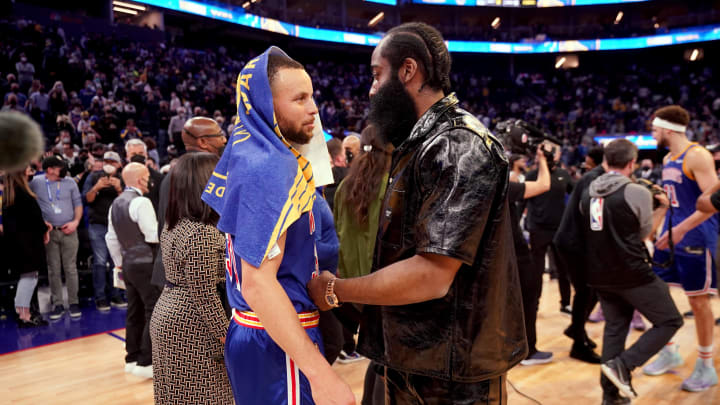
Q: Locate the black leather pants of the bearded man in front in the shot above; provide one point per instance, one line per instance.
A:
(410, 389)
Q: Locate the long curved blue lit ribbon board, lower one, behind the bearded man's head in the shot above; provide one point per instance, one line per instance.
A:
(237, 15)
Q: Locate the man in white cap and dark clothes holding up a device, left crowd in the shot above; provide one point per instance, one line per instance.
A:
(100, 190)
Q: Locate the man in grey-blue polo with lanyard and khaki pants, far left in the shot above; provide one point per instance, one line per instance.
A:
(61, 206)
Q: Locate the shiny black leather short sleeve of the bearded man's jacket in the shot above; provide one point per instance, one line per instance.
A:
(458, 178)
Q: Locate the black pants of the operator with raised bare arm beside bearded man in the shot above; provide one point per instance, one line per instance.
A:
(529, 281)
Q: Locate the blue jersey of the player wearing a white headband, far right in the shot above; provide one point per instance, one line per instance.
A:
(683, 192)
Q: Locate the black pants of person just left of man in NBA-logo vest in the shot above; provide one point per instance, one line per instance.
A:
(585, 297)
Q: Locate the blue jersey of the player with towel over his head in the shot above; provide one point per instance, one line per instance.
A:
(297, 267)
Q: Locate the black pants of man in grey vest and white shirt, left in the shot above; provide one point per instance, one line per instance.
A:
(141, 295)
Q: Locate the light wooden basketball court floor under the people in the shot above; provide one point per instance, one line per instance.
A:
(90, 370)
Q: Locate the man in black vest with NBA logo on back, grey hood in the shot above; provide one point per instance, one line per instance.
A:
(618, 217)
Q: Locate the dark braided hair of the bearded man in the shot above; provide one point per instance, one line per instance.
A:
(425, 45)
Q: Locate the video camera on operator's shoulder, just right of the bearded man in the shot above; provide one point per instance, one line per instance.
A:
(522, 138)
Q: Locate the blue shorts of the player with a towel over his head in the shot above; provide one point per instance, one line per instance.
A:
(259, 370)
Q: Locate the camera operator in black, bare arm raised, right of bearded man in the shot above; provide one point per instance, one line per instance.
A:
(518, 192)
